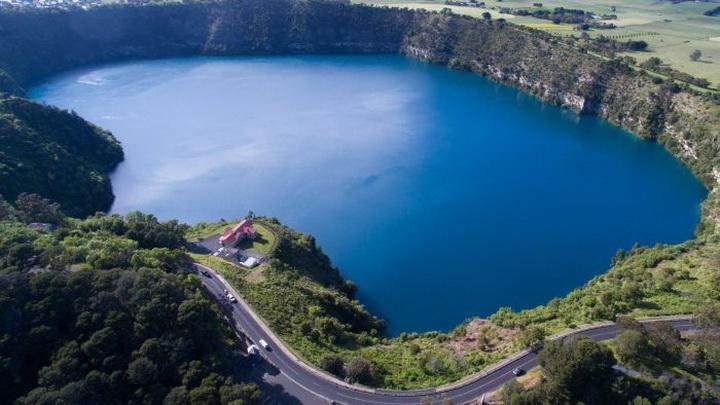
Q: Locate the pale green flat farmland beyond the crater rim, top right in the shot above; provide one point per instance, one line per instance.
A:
(673, 31)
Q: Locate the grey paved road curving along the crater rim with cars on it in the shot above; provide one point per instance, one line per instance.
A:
(311, 386)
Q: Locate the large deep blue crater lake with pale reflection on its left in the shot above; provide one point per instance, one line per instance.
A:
(441, 194)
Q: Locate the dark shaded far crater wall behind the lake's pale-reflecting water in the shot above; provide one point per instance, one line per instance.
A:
(36, 44)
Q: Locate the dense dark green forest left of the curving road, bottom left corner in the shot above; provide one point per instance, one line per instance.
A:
(102, 311)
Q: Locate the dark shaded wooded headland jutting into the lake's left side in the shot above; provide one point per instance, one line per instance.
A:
(55, 154)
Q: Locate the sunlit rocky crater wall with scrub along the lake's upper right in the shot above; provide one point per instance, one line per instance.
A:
(687, 124)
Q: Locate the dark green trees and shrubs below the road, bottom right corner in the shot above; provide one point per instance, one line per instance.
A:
(656, 366)
